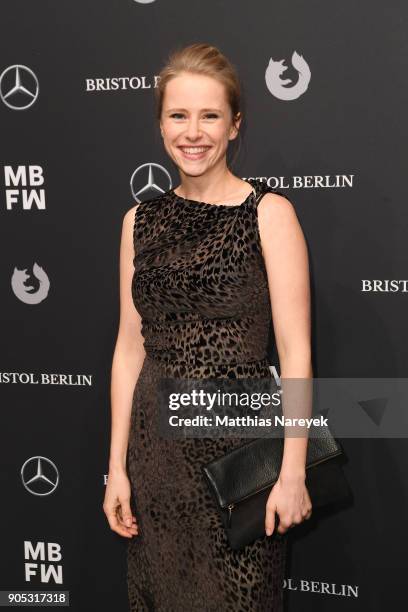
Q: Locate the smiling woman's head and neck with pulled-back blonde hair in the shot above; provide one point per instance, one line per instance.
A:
(199, 117)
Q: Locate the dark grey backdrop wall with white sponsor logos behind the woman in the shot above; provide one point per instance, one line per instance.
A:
(325, 98)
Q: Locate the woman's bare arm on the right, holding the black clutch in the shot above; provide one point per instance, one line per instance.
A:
(286, 261)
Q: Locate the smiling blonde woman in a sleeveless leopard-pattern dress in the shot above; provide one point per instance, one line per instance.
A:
(210, 259)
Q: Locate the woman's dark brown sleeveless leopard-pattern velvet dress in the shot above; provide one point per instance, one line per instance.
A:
(201, 289)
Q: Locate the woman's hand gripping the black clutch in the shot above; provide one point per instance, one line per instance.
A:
(290, 499)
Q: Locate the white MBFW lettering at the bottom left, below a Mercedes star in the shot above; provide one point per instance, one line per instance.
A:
(43, 561)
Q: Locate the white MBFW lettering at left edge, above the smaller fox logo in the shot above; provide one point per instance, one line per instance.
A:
(24, 187)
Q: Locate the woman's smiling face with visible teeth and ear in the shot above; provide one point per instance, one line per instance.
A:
(196, 123)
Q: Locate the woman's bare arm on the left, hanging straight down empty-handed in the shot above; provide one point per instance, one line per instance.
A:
(127, 363)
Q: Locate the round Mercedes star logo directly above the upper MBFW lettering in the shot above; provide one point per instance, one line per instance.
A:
(19, 87)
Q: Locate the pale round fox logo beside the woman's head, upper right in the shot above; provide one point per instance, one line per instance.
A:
(283, 89)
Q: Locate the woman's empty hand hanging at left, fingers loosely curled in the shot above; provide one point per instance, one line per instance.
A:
(116, 504)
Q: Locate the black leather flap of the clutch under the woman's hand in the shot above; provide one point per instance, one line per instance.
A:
(255, 465)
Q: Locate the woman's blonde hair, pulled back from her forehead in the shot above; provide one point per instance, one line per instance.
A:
(205, 59)
